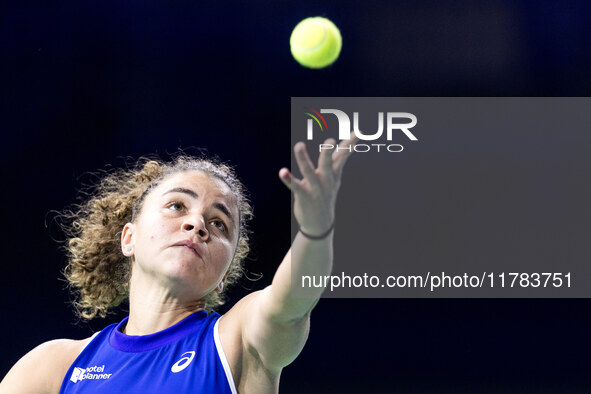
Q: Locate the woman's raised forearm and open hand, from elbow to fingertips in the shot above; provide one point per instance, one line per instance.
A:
(314, 206)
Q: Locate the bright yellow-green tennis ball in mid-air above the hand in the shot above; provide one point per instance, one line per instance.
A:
(315, 42)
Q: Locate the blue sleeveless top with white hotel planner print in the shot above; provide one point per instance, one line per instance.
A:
(184, 358)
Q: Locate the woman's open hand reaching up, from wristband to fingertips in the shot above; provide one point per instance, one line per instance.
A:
(316, 193)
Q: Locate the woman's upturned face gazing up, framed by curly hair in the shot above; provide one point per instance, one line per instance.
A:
(186, 233)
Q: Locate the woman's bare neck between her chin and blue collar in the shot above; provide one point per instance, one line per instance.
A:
(153, 308)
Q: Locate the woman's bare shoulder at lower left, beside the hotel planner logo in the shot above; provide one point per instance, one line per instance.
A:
(49, 361)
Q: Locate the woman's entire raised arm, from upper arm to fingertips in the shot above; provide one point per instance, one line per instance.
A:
(275, 322)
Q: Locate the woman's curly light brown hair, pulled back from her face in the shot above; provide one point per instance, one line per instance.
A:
(97, 271)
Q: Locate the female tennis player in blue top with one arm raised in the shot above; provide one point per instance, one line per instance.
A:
(170, 238)
